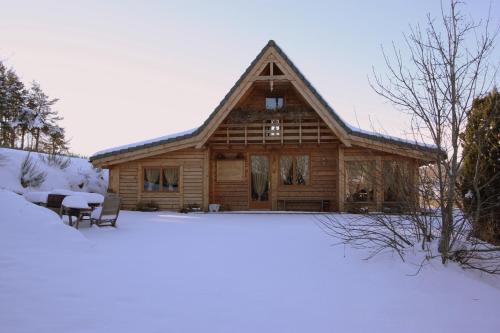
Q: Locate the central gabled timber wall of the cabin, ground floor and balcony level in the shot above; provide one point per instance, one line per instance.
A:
(294, 130)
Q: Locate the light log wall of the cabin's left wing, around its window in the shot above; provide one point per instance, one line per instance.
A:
(191, 180)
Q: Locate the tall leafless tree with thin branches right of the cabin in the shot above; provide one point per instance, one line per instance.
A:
(444, 68)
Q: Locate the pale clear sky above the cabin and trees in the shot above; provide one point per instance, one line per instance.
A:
(132, 70)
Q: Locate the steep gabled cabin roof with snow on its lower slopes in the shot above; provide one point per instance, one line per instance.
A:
(351, 131)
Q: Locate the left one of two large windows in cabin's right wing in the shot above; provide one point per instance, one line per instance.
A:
(359, 181)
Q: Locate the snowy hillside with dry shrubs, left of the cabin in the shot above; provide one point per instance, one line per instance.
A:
(22, 171)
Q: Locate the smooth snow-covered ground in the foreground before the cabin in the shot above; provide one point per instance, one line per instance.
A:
(169, 272)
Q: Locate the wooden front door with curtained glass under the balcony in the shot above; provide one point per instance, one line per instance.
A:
(260, 182)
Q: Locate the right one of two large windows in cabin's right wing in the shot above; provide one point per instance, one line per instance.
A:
(396, 181)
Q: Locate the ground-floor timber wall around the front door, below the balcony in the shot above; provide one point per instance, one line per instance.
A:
(235, 194)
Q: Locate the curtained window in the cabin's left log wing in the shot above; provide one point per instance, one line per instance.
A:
(164, 179)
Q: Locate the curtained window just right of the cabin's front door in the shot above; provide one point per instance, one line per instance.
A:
(294, 170)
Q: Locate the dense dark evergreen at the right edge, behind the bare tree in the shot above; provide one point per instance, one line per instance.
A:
(481, 168)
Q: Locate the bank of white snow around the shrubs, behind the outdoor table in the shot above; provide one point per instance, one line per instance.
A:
(79, 175)
